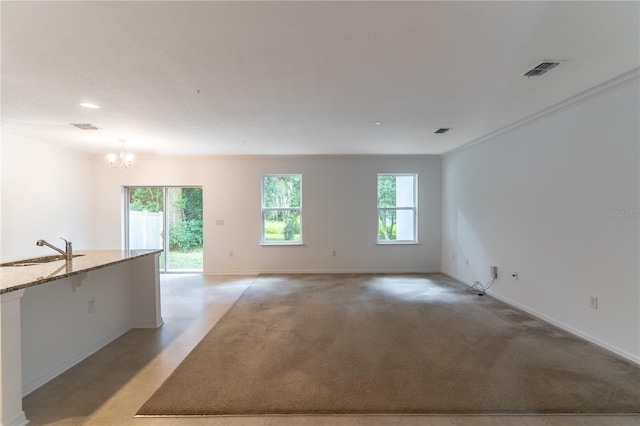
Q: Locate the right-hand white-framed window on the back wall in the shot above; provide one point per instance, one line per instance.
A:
(397, 208)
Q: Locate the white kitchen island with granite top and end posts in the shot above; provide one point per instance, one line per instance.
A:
(53, 315)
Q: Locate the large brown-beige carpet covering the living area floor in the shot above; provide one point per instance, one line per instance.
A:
(362, 344)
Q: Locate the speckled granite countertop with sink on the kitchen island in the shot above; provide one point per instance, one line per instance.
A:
(14, 278)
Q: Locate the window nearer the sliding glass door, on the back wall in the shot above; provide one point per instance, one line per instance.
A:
(282, 209)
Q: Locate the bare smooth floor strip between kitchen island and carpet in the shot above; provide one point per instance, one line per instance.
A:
(111, 385)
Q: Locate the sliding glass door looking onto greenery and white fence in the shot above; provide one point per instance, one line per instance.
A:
(169, 218)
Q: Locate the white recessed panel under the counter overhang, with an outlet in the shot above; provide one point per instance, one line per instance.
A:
(57, 329)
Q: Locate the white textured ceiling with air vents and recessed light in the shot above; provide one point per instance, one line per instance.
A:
(194, 78)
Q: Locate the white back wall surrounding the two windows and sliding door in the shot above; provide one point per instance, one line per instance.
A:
(339, 211)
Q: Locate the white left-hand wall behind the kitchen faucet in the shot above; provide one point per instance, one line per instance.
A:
(46, 194)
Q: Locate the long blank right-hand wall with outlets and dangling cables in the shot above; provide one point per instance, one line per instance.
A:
(535, 200)
